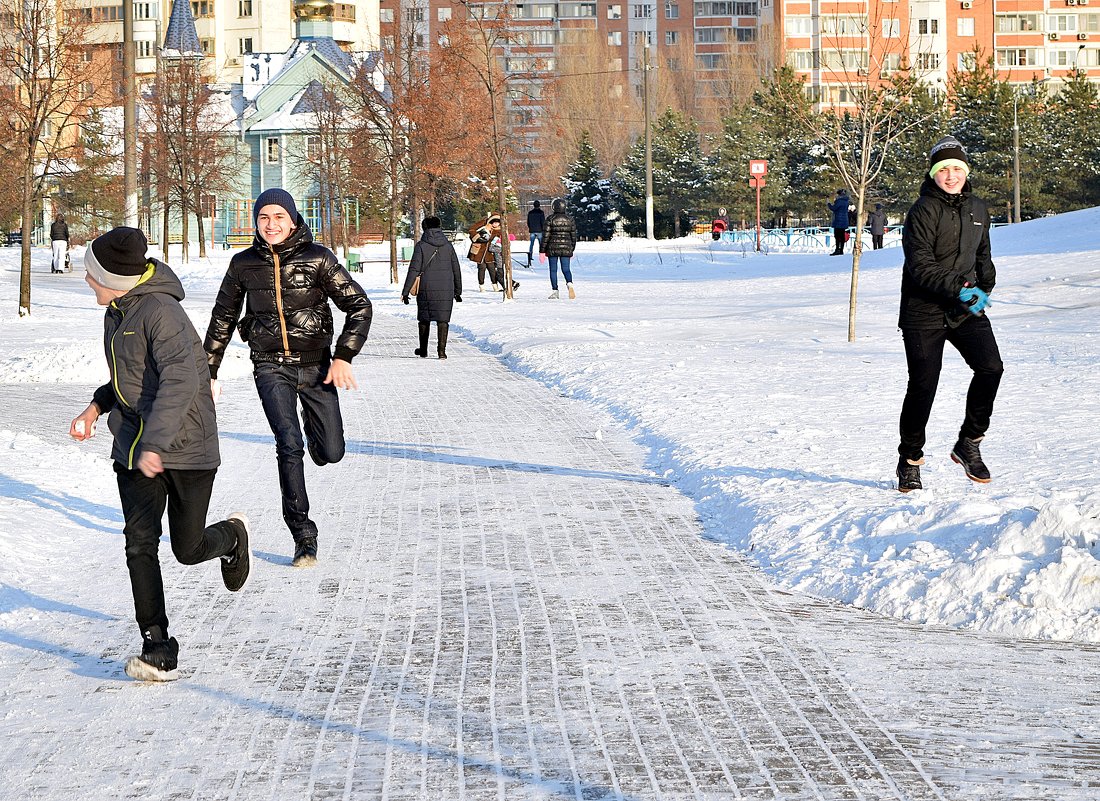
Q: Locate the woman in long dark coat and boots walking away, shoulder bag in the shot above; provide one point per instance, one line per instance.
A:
(436, 264)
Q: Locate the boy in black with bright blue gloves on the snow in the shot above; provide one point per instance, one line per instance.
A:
(947, 280)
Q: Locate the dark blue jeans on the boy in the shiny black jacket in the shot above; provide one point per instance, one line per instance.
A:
(281, 389)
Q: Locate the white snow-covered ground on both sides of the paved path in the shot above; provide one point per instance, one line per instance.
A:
(733, 369)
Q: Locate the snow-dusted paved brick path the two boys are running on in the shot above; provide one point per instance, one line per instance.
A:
(509, 606)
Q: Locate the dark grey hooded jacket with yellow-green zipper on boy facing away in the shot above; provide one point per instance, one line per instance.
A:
(160, 393)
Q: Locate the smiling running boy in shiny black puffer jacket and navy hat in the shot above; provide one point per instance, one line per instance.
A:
(284, 283)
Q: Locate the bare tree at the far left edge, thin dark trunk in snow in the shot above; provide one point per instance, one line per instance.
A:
(43, 82)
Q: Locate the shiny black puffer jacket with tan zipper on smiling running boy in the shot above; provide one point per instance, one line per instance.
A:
(288, 320)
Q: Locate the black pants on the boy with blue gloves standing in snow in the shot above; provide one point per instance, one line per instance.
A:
(925, 355)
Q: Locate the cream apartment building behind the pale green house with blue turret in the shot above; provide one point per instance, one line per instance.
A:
(228, 30)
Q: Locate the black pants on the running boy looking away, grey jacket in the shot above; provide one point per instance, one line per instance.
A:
(186, 495)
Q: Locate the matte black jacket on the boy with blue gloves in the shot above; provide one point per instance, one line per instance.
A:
(947, 244)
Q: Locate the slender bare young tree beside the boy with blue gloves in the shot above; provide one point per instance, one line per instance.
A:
(864, 108)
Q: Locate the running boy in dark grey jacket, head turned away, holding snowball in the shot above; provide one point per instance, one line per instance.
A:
(166, 433)
